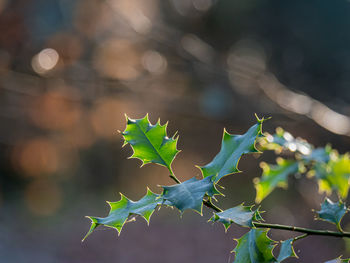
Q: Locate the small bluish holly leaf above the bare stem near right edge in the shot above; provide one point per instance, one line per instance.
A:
(332, 212)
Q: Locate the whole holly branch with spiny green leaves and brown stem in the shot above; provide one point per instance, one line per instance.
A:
(151, 144)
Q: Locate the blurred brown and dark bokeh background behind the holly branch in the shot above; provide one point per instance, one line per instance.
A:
(70, 70)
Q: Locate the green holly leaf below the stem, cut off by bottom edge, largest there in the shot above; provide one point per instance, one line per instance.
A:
(255, 246)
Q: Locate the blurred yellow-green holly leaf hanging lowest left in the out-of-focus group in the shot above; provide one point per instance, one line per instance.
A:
(274, 176)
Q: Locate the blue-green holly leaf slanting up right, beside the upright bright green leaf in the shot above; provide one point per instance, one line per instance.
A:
(232, 148)
